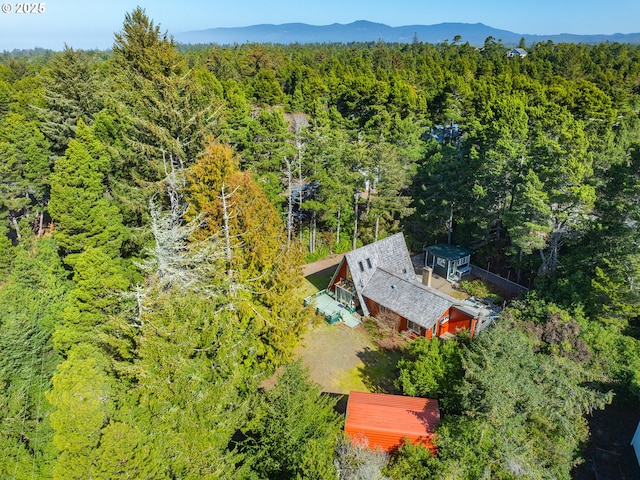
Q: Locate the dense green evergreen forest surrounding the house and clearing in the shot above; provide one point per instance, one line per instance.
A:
(157, 201)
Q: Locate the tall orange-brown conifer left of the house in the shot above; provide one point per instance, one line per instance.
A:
(256, 255)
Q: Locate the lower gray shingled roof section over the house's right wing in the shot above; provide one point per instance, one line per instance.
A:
(412, 300)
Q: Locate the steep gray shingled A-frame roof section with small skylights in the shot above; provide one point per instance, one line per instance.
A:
(390, 253)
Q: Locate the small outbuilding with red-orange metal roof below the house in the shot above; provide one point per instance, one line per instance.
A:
(385, 420)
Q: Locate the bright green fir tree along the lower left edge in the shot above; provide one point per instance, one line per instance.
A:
(31, 303)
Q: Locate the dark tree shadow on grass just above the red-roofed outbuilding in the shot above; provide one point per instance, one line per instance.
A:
(380, 369)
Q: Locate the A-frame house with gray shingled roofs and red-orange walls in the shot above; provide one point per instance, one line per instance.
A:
(379, 279)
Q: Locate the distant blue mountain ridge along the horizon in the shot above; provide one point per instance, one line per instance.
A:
(364, 31)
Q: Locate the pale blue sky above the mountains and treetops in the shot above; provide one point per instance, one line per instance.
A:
(91, 23)
